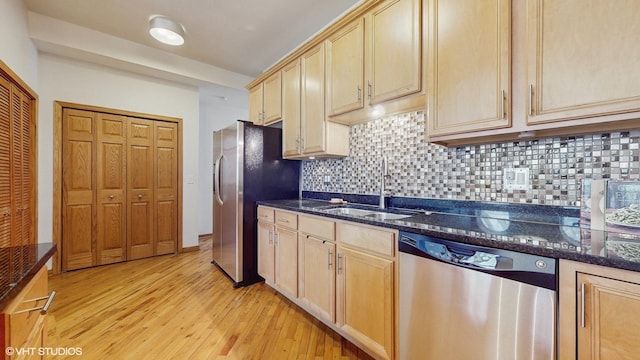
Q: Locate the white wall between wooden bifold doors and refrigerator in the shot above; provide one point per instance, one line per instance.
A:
(215, 113)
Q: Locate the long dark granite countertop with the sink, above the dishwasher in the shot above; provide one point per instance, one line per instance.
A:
(542, 230)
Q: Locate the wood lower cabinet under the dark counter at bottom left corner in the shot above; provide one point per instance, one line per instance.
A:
(24, 324)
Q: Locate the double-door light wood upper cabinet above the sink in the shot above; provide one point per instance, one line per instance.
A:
(376, 59)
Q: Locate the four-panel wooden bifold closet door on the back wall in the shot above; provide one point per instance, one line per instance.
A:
(120, 188)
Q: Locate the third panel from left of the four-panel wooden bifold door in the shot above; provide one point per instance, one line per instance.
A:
(140, 197)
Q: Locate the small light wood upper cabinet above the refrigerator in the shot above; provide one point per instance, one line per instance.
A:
(265, 101)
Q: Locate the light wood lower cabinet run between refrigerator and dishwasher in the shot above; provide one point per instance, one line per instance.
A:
(346, 276)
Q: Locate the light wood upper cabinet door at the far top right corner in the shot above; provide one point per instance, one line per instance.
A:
(582, 59)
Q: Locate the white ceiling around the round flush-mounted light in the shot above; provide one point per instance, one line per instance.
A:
(241, 36)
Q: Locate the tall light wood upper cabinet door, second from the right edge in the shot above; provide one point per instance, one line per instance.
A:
(469, 59)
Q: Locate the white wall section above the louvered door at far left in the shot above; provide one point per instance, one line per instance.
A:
(16, 48)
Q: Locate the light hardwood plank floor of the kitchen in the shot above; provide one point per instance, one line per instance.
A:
(182, 307)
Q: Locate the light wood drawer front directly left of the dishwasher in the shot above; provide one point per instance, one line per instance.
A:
(369, 239)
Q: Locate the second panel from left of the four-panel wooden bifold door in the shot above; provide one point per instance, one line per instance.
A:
(111, 244)
